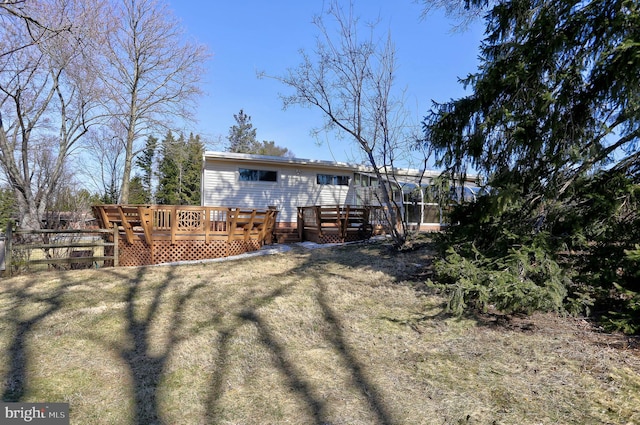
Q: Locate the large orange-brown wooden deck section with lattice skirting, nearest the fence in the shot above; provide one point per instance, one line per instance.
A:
(154, 234)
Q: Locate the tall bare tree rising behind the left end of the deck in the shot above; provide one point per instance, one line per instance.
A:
(153, 75)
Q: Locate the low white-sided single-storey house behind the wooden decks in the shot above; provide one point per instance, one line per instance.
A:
(257, 181)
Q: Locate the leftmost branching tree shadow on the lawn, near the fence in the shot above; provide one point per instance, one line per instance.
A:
(15, 383)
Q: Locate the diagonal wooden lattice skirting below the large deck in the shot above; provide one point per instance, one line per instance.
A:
(140, 254)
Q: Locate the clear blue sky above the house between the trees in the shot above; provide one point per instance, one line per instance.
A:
(249, 36)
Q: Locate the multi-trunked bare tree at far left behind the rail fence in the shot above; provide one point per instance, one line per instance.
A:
(48, 93)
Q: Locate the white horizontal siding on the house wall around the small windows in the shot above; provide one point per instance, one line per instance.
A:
(296, 187)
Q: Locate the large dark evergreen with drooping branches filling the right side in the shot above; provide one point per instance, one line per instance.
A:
(554, 123)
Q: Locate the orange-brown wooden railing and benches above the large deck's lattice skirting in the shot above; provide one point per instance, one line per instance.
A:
(187, 222)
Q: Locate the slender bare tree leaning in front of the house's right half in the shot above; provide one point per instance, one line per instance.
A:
(350, 79)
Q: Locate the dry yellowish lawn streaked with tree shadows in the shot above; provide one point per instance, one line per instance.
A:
(328, 336)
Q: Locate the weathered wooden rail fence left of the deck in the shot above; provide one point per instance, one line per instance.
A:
(64, 241)
